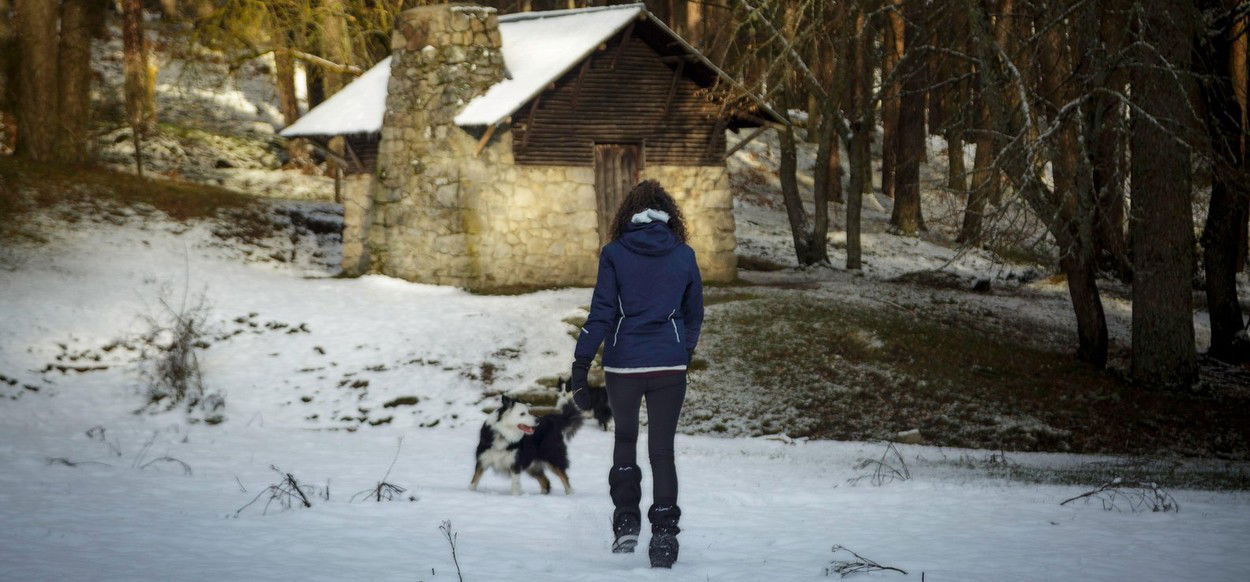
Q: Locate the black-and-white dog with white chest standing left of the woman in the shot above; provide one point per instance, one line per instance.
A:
(514, 441)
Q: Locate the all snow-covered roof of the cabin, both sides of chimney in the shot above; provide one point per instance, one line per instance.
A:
(538, 49)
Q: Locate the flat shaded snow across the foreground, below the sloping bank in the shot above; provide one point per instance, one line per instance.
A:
(753, 510)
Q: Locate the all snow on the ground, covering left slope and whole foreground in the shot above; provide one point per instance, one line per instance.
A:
(753, 508)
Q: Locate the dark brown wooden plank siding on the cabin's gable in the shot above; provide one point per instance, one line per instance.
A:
(629, 104)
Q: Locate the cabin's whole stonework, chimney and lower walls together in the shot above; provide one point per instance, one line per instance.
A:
(442, 214)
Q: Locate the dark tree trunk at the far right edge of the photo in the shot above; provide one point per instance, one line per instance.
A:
(1231, 200)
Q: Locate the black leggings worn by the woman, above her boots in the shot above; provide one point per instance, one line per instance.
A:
(664, 398)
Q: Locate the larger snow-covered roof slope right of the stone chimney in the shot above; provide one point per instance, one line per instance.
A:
(538, 49)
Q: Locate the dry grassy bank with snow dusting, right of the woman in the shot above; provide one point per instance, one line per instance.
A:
(817, 367)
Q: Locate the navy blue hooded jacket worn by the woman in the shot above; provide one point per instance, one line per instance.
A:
(648, 303)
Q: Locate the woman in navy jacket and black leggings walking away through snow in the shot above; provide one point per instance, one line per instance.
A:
(647, 310)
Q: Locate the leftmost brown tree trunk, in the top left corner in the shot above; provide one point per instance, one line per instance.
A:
(37, 24)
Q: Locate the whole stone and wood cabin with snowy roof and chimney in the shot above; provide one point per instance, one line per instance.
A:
(494, 150)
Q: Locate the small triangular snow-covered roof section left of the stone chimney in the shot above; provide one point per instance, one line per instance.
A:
(356, 109)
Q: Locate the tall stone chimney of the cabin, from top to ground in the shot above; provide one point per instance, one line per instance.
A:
(442, 57)
